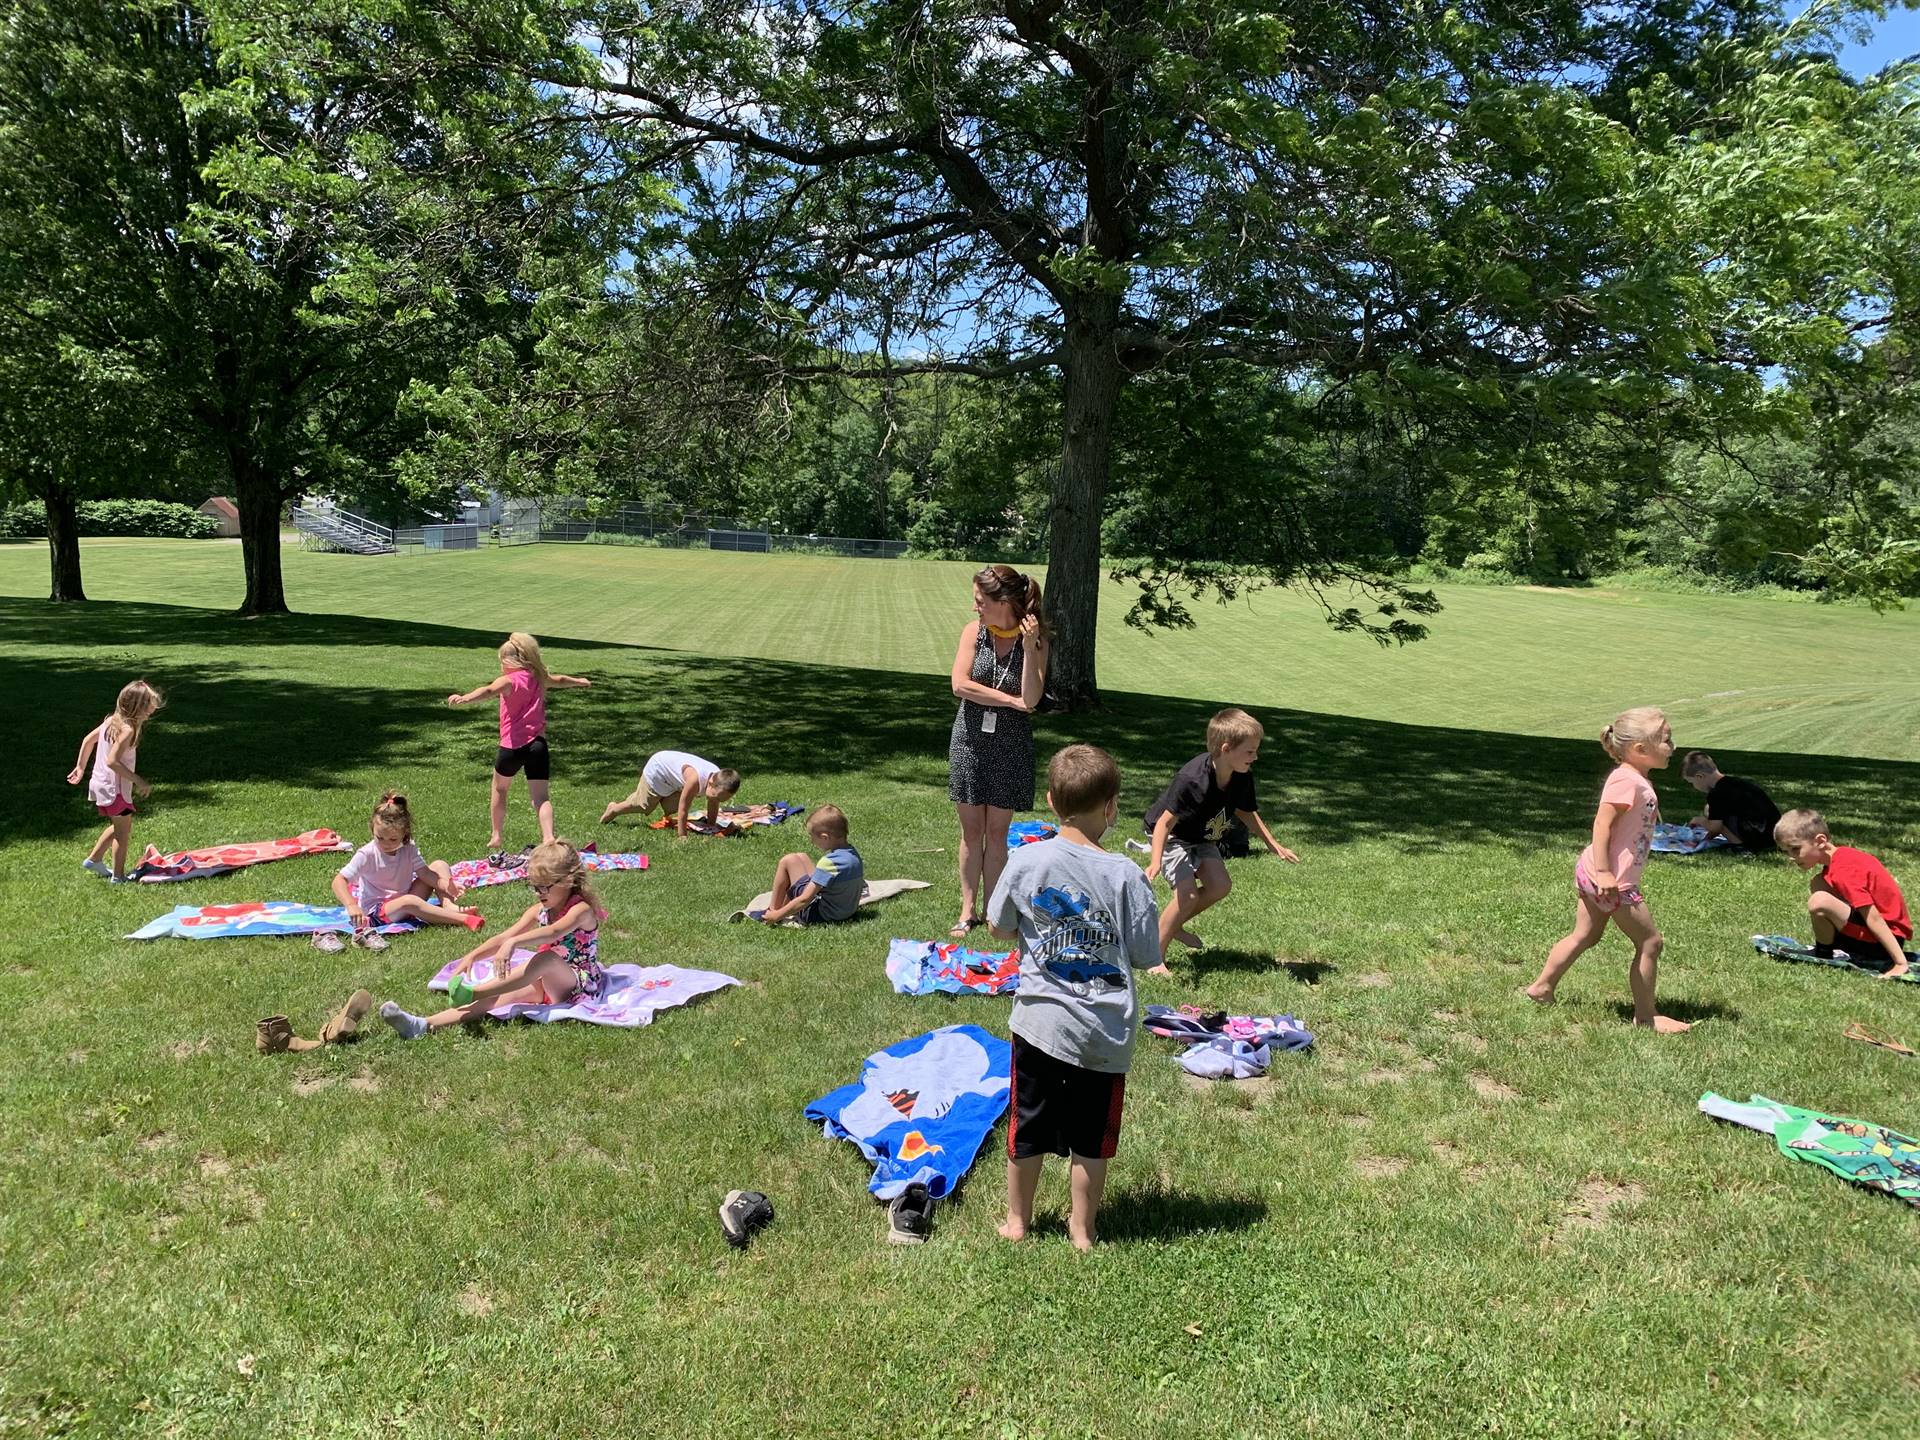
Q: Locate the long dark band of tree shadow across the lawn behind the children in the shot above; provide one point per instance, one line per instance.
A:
(1324, 780)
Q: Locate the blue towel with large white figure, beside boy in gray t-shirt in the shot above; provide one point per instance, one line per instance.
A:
(923, 1109)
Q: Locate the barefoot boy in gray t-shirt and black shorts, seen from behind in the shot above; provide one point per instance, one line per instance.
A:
(1086, 921)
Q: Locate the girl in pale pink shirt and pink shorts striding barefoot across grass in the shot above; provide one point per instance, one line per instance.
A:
(1606, 878)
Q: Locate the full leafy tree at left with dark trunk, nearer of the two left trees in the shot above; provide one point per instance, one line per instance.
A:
(287, 214)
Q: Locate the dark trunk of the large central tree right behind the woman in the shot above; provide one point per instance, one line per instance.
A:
(1093, 379)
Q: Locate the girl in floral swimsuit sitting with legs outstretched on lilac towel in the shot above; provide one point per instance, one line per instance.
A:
(562, 930)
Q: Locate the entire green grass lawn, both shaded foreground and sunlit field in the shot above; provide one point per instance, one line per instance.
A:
(1458, 1216)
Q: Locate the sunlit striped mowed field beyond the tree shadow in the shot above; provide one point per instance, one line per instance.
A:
(1735, 673)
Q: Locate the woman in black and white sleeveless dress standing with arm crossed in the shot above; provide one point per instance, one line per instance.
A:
(999, 679)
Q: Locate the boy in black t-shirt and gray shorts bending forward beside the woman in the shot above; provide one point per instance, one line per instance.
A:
(1191, 817)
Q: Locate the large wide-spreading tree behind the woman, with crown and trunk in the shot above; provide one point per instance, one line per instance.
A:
(1431, 216)
